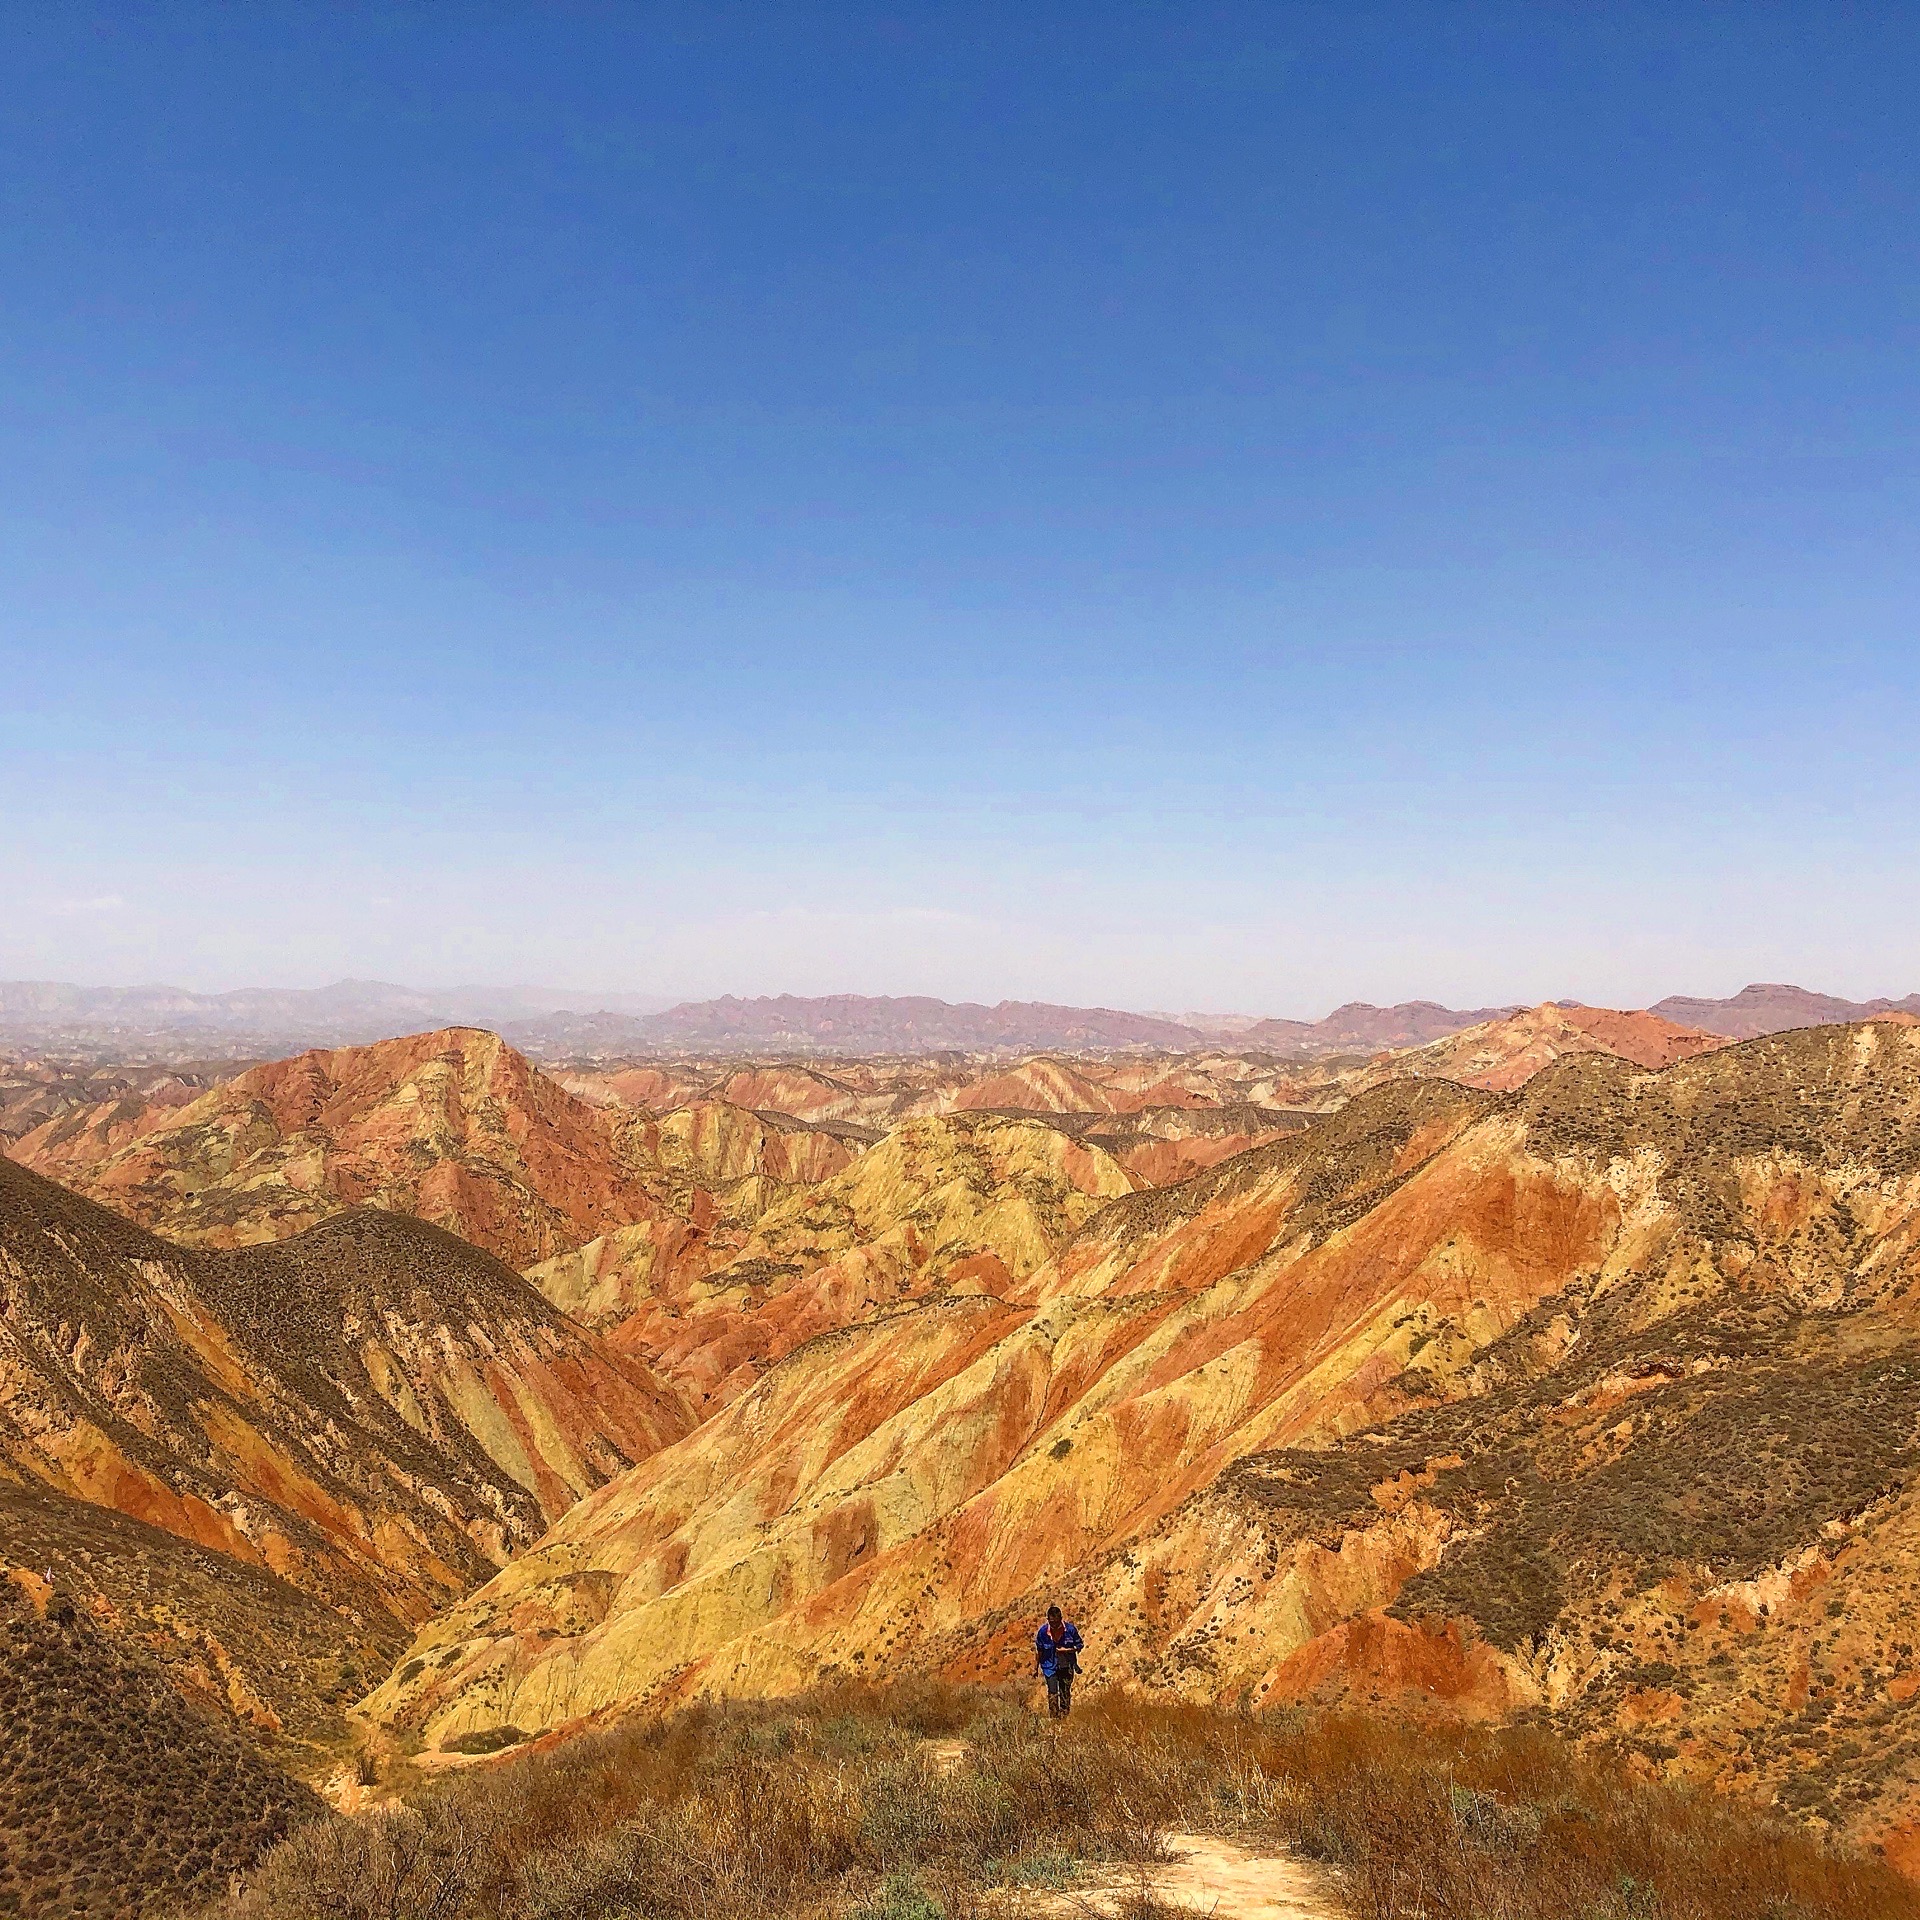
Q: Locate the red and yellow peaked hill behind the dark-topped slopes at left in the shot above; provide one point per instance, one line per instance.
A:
(454, 1128)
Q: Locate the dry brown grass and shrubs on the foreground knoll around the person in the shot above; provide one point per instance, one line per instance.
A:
(834, 1806)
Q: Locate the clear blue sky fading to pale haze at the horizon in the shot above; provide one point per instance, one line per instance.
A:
(1191, 508)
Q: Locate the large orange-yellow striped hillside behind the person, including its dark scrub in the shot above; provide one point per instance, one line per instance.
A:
(1600, 1401)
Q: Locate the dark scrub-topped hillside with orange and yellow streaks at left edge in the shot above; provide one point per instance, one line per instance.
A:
(375, 1412)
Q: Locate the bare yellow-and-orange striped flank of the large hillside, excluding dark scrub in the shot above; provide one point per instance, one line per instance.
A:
(861, 1454)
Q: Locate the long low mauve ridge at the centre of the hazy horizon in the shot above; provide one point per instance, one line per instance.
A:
(853, 1024)
